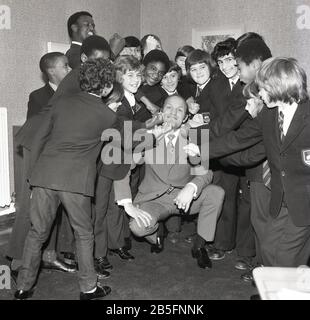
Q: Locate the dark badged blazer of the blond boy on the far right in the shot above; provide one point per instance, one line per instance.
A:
(290, 169)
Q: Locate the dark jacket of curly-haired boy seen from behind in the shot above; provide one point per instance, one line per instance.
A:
(68, 143)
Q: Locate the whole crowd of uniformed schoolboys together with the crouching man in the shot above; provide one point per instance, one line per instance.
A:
(250, 191)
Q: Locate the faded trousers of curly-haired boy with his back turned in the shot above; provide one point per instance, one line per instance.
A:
(44, 203)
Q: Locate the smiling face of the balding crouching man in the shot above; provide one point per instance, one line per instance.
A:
(174, 111)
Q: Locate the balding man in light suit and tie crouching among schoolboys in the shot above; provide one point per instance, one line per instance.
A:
(173, 186)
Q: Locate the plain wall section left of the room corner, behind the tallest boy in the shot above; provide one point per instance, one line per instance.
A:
(33, 24)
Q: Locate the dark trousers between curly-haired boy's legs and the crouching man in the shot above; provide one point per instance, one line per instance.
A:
(107, 218)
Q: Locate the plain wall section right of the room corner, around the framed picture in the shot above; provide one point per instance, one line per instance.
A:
(173, 20)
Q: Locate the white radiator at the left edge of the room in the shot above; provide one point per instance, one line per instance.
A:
(5, 196)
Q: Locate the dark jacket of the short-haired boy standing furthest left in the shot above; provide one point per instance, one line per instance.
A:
(39, 99)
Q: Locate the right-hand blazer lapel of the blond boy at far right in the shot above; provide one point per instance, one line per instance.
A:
(297, 124)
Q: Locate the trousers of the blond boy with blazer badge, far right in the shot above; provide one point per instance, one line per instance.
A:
(284, 244)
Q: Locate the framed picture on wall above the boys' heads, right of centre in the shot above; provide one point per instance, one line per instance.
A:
(206, 39)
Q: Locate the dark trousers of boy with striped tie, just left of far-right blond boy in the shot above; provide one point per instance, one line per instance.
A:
(260, 202)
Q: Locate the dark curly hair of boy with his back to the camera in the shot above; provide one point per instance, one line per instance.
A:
(95, 74)
